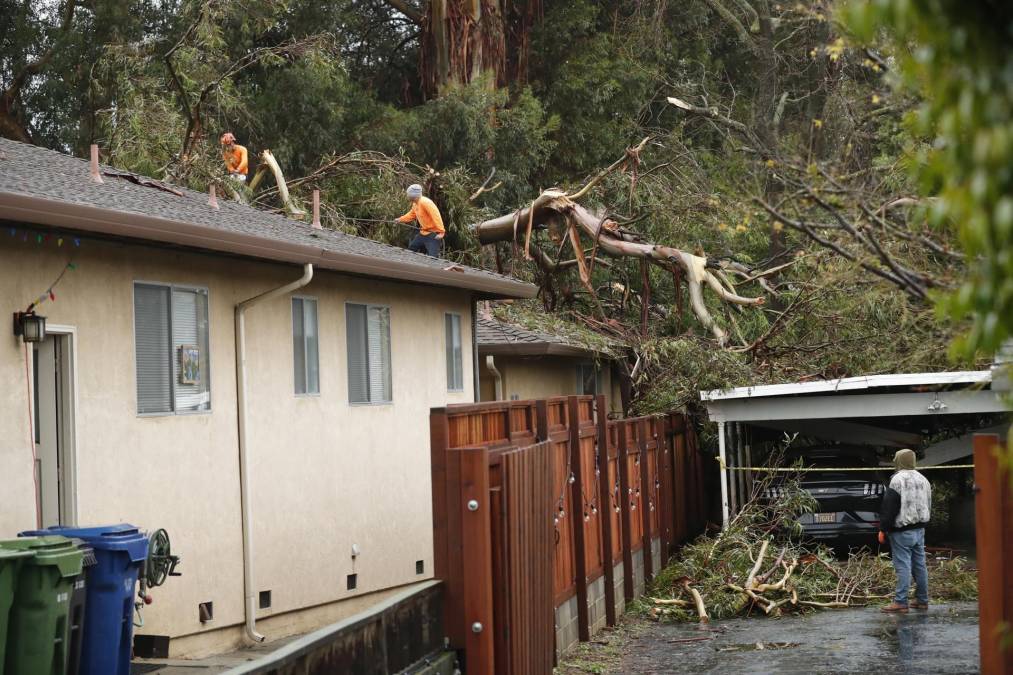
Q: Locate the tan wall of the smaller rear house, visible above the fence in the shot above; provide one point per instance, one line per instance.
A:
(541, 378)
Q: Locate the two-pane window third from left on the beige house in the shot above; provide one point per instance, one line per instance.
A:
(368, 331)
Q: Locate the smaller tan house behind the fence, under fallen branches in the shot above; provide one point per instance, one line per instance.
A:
(517, 363)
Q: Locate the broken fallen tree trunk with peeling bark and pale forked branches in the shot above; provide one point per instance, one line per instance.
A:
(568, 221)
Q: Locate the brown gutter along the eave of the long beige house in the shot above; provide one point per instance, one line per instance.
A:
(89, 218)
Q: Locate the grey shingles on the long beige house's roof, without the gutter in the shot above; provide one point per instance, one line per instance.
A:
(31, 172)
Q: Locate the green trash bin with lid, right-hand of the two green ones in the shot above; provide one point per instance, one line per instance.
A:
(39, 629)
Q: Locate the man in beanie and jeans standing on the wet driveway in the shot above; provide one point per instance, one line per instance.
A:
(904, 515)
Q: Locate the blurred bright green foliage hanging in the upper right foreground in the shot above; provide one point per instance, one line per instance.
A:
(960, 61)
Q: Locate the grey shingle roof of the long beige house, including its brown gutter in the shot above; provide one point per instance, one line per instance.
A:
(32, 178)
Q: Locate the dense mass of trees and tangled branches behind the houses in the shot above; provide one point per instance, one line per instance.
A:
(817, 158)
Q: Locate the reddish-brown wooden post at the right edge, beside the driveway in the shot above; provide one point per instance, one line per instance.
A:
(994, 535)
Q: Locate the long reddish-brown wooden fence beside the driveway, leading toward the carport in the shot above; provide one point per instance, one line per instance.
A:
(537, 503)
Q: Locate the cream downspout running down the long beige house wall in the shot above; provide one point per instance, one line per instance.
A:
(244, 465)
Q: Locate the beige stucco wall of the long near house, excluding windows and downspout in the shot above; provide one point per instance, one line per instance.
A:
(325, 475)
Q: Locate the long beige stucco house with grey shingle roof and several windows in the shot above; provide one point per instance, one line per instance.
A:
(258, 387)
